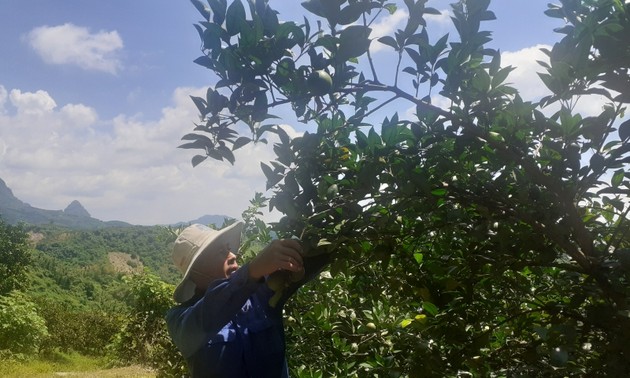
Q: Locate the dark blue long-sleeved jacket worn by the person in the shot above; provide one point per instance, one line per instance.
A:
(231, 331)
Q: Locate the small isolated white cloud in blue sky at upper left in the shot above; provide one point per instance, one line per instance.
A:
(73, 45)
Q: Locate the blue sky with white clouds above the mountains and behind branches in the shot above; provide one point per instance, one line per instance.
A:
(94, 98)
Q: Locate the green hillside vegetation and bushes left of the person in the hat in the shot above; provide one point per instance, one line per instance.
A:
(73, 303)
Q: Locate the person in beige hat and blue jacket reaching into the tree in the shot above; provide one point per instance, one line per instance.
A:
(224, 324)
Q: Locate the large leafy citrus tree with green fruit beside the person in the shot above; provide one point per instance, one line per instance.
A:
(488, 236)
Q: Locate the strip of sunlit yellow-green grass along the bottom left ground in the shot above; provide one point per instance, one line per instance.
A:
(72, 364)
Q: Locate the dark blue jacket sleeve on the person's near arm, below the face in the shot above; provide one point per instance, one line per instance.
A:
(190, 326)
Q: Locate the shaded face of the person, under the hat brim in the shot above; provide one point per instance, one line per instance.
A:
(213, 266)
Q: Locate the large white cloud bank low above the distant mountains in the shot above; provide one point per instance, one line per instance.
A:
(124, 168)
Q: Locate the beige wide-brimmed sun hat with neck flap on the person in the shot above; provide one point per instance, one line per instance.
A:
(195, 240)
